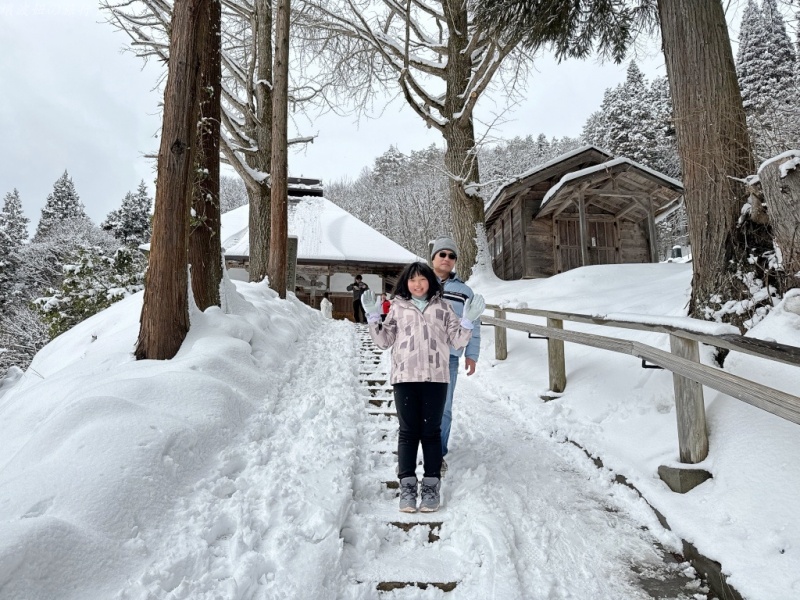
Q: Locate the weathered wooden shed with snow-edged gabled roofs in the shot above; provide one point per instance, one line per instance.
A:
(584, 207)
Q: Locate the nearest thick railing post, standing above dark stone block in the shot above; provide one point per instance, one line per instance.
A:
(689, 406)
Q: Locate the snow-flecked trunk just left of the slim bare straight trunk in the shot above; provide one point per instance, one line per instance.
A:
(259, 128)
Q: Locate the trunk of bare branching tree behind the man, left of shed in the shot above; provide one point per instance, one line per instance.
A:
(459, 134)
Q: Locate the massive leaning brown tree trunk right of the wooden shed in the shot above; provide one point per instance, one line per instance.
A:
(713, 143)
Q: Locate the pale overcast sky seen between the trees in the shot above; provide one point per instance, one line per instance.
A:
(71, 99)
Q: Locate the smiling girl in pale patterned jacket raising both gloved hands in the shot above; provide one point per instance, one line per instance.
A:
(421, 327)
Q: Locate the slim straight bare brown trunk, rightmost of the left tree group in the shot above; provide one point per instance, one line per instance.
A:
(279, 171)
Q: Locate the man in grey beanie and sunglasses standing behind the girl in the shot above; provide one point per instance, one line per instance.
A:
(444, 255)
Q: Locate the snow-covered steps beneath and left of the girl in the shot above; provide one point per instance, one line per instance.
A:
(398, 550)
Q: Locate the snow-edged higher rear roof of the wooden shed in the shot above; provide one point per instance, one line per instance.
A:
(550, 171)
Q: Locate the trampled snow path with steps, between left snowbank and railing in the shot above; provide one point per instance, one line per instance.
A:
(298, 506)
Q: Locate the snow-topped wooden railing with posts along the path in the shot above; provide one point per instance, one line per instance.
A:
(683, 360)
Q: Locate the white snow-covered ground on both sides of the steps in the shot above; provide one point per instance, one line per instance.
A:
(237, 469)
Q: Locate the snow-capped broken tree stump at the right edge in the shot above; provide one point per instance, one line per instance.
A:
(782, 196)
